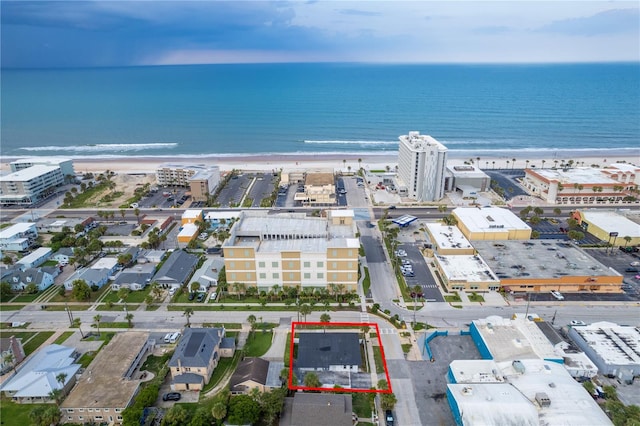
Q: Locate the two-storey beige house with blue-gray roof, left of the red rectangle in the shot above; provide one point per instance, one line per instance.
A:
(195, 357)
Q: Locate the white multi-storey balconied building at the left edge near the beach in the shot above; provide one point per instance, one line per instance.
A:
(30, 185)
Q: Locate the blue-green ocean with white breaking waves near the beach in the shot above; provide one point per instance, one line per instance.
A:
(215, 110)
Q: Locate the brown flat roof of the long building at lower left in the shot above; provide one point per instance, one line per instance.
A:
(102, 384)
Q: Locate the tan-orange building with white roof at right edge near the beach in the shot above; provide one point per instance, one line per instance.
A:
(615, 184)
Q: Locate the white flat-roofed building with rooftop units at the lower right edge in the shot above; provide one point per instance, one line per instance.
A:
(615, 349)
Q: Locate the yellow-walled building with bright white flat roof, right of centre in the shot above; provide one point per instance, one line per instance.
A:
(490, 223)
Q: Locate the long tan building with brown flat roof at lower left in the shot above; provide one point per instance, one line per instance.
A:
(110, 382)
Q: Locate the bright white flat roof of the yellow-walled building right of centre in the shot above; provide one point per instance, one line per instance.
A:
(489, 219)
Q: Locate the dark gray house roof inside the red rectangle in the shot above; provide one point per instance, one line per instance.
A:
(328, 351)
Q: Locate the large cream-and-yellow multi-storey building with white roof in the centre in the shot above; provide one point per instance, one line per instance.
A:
(292, 250)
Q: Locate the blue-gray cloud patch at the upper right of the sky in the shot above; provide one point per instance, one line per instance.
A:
(615, 21)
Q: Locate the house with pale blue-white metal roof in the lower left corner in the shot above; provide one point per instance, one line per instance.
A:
(43, 373)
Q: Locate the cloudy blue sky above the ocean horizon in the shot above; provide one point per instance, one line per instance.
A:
(43, 34)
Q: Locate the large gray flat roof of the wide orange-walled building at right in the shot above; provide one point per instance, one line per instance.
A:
(535, 259)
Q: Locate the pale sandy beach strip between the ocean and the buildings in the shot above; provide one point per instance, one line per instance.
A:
(379, 160)
